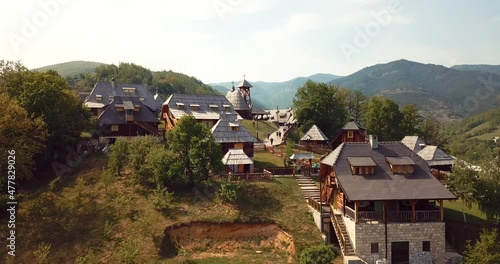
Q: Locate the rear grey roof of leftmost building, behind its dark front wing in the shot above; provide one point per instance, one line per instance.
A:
(108, 92)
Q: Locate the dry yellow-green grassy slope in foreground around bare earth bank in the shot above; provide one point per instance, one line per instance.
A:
(102, 220)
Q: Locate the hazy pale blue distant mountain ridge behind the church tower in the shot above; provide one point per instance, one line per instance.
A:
(270, 95)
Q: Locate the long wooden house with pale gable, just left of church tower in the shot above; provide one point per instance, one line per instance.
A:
(207, 109)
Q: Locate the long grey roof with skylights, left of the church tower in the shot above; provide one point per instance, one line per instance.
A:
(210, 106)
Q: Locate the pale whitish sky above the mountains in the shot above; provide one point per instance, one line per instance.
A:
(265, 40)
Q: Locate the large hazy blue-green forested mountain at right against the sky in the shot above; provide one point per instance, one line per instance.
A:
(444, 92)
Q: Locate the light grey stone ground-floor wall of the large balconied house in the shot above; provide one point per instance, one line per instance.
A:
(414, 233)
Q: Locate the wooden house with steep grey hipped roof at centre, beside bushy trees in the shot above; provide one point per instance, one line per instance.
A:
(229, 132)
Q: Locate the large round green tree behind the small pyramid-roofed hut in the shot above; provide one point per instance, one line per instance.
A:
(320, 104)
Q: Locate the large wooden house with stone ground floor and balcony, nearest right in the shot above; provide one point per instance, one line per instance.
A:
(385, 203)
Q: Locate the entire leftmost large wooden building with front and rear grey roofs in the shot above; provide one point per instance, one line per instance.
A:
(123, 110)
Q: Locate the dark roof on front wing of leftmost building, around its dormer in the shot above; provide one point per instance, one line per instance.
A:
(112, 117)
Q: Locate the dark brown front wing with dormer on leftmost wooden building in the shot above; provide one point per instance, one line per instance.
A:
(127, 117)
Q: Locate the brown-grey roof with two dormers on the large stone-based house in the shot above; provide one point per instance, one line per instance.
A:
(384, 185)
